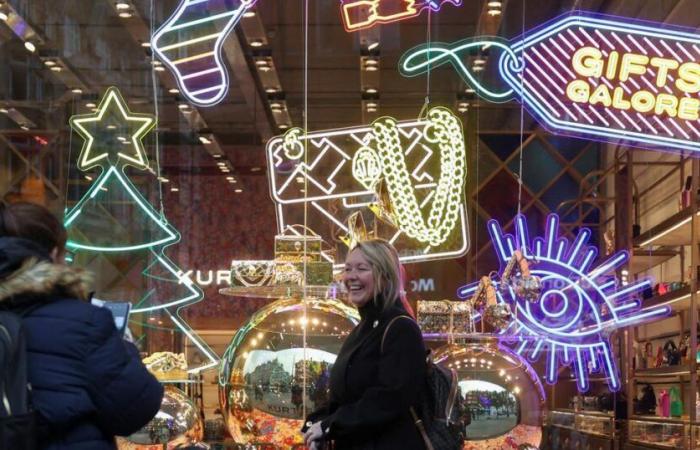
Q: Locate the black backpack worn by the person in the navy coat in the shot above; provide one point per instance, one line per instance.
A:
(17, 418)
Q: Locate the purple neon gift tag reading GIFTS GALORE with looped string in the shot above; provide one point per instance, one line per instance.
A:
(593, 76)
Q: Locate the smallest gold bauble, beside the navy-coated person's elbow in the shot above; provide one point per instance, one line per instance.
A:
(177, 423)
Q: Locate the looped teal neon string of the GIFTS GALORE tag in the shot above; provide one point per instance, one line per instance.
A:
(420, 60)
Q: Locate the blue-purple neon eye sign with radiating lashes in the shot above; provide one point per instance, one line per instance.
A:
(579, 306)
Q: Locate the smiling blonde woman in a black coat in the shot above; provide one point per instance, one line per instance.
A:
(373, 385)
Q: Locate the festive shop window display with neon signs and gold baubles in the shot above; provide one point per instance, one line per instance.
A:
(535, 163)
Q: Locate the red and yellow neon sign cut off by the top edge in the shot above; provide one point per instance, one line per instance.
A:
(362, 14)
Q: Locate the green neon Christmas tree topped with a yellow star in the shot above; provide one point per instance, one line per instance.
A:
(117, 233)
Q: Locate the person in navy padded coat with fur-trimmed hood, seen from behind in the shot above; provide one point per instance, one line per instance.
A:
(88, 384)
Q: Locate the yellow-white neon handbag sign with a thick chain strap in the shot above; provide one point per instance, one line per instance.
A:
(419, 164)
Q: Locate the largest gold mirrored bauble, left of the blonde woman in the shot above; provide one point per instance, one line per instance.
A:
(269, 379)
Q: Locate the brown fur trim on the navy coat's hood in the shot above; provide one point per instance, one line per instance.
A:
(37, 278)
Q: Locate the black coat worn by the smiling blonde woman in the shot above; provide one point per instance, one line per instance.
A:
(371, 390)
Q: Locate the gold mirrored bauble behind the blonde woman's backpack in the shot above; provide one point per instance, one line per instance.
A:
(502, 391)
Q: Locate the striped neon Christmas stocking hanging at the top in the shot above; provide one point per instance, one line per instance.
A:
(190, 44)
